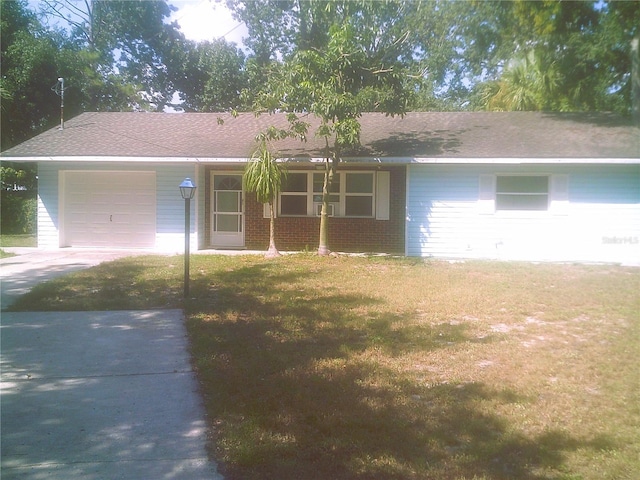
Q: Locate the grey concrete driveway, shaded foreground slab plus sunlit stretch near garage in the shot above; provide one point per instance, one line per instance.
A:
(95, 395)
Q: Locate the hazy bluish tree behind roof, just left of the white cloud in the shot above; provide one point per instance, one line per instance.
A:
(127, 43)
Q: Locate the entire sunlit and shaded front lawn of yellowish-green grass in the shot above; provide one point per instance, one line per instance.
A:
(378, 368)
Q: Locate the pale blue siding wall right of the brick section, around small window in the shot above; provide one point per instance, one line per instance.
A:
(600, 222)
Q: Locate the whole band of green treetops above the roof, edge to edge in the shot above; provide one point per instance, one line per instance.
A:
(342, 57)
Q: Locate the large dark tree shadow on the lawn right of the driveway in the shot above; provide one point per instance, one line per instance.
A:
(303, 383)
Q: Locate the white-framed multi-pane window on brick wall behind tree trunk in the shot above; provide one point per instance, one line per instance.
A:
(352, 194)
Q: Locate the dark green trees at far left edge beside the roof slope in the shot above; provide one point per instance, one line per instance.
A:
(33, 58)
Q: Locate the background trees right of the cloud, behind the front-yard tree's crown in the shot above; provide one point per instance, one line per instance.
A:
(467, 53)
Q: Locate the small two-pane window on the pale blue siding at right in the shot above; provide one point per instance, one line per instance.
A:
(522, 192)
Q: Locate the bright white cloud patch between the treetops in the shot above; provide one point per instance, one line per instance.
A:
(201, 20)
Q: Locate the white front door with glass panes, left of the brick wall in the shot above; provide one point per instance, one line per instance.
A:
(227, 210)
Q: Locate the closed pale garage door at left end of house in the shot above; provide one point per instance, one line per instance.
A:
(109, 209)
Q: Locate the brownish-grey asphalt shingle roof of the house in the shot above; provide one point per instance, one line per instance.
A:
(459, 135)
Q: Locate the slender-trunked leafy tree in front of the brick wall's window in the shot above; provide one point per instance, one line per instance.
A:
(335, 83)
